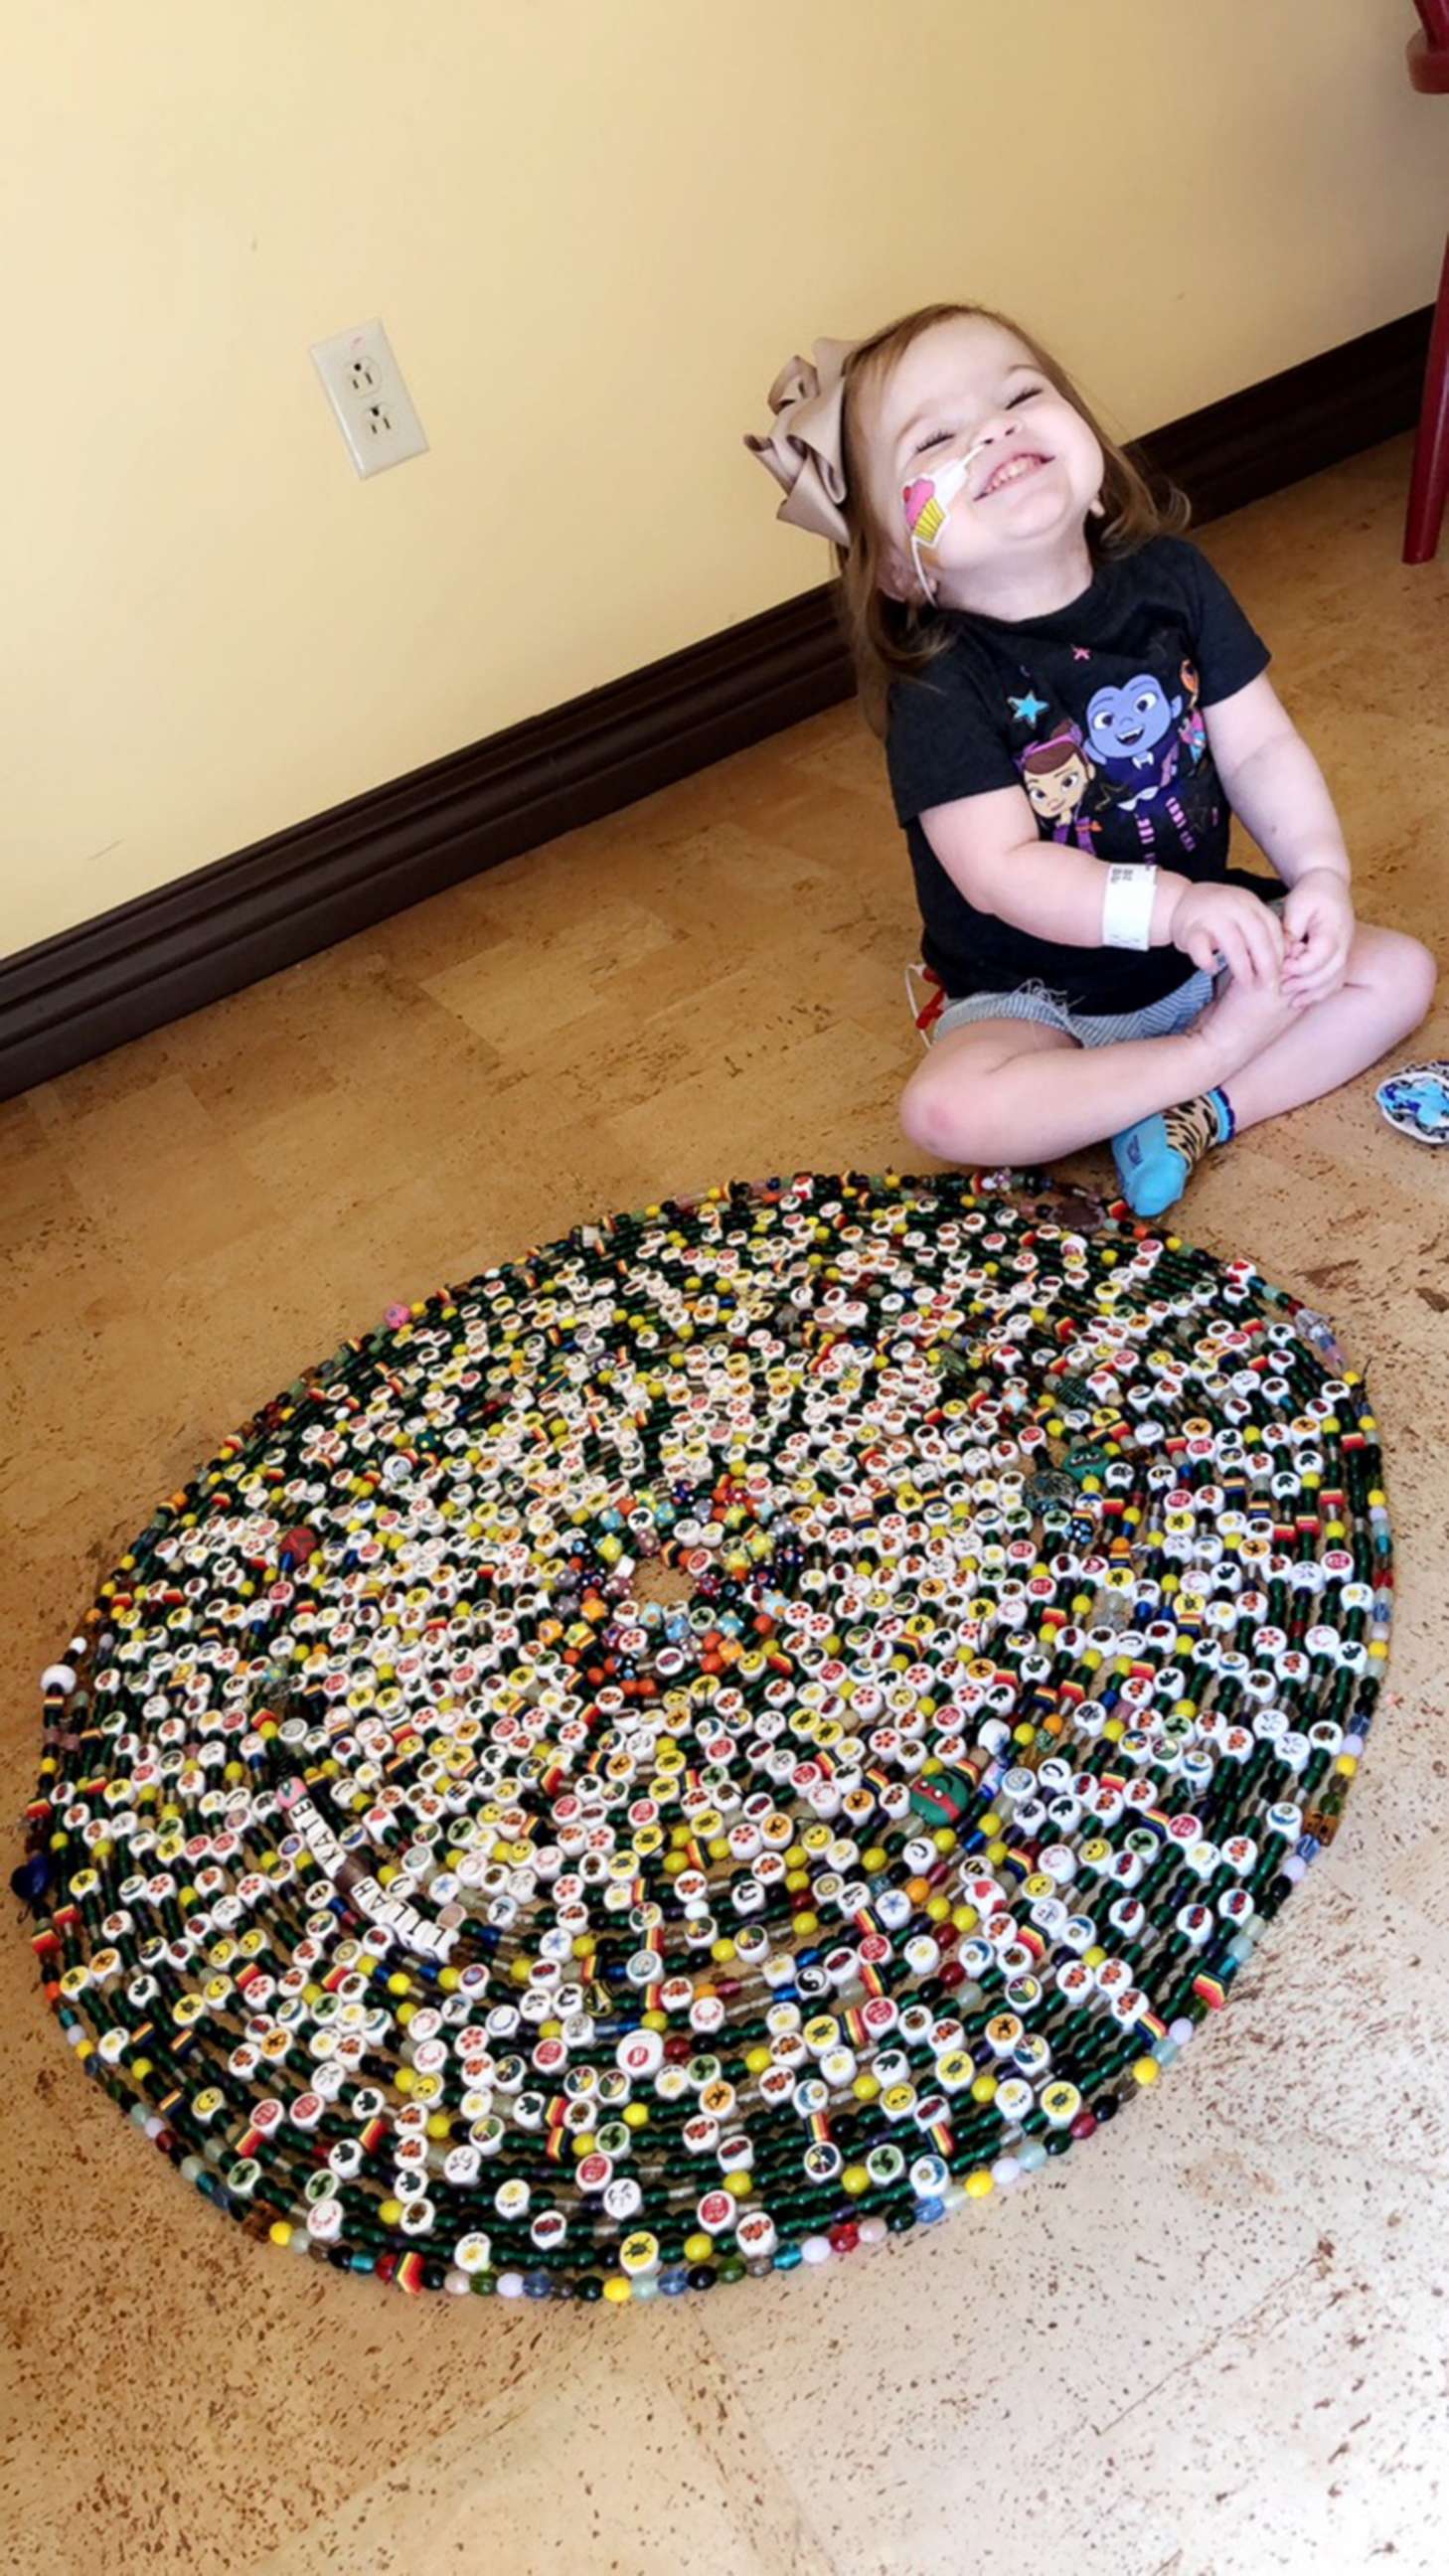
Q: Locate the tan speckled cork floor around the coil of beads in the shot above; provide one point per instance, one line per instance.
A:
(1221, 2340)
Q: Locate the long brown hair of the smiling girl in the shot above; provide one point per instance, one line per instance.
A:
(896, 640)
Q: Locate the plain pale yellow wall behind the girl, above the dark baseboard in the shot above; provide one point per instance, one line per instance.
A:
(592, 228)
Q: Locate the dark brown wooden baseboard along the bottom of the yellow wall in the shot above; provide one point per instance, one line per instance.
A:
(226, 926)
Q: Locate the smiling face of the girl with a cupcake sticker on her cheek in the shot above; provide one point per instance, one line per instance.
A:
(971, 393)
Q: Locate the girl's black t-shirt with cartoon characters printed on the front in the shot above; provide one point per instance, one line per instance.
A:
(1097, 712)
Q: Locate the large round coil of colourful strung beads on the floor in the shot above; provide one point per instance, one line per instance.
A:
(718, 1743)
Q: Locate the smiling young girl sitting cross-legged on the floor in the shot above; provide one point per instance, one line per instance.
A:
(1074, 707)
